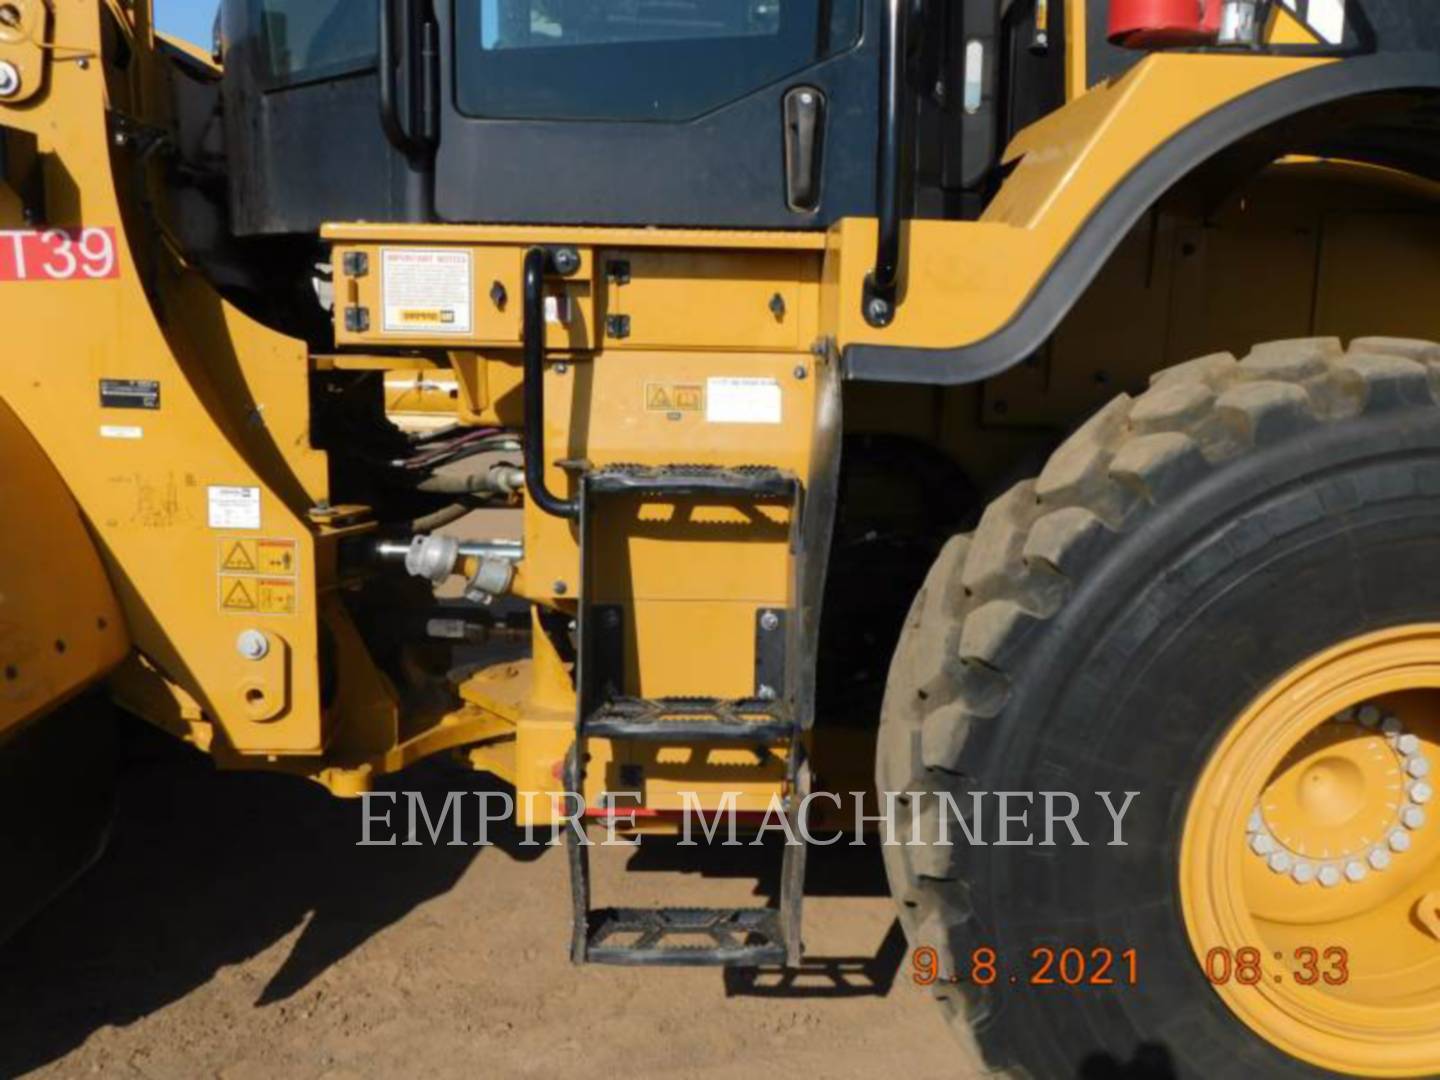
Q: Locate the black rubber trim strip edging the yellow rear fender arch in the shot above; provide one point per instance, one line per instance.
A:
(1133, 198)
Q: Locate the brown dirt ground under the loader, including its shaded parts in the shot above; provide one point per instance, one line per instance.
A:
(234, 930)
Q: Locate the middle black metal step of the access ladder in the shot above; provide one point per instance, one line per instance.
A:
(693, 721)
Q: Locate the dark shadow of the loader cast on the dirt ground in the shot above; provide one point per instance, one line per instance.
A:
(207, 870)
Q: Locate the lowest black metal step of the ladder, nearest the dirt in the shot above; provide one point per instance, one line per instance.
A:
(686, 937)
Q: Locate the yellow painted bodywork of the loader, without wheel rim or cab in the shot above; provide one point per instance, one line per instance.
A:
(212, 515)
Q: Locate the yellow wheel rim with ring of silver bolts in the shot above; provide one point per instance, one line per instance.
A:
(1315, 829)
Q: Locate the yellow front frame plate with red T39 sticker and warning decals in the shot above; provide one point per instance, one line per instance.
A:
(220, 456)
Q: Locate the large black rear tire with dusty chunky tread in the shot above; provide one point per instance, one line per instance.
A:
(1101, 630)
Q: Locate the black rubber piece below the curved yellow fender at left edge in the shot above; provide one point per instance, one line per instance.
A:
(57, 800)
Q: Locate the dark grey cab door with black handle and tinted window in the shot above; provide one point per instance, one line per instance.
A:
(669, 113)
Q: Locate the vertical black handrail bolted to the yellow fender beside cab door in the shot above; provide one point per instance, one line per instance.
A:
(883, 284)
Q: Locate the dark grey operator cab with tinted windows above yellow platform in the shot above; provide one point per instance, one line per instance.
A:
(672, 113)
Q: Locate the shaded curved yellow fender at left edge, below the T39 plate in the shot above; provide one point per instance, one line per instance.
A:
(60, 626)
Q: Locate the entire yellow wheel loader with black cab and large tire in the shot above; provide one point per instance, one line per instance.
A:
(935, 400)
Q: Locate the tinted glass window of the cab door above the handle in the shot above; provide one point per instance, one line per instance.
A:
(636, 60)
